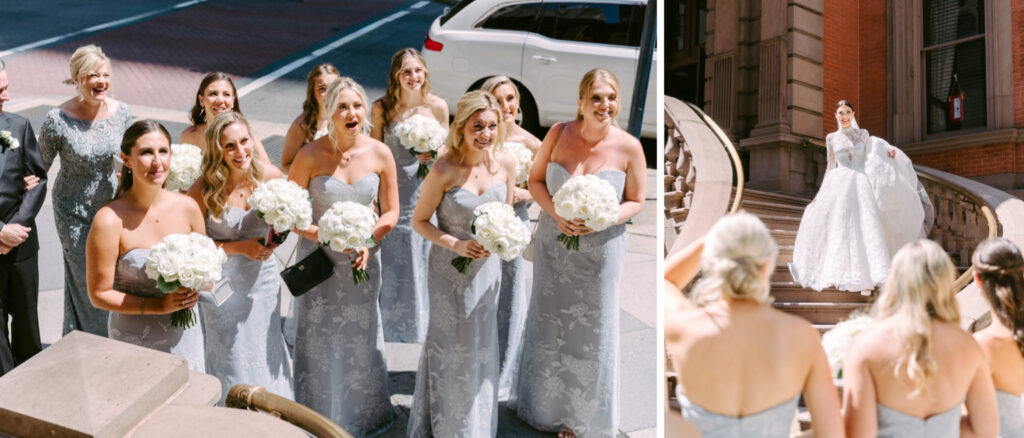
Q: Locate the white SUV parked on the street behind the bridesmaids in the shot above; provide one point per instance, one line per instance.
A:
(545, 47)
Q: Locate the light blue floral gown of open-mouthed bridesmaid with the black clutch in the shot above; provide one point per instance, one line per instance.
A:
(340, 369)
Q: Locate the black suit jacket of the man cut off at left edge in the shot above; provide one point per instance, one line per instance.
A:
(18, 206)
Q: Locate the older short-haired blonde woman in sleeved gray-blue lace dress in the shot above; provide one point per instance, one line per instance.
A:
(86, 132)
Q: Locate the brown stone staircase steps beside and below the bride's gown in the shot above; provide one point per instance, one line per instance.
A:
(824, 310)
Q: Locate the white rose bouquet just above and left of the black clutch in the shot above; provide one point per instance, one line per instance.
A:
(284, 206)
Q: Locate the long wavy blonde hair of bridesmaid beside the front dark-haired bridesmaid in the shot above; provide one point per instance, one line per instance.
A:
(217, 172)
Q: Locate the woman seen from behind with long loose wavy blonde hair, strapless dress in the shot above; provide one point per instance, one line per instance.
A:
(914, 372)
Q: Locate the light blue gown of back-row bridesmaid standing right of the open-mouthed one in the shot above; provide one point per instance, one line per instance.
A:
(404, 290)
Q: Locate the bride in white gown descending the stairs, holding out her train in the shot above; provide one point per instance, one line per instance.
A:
(869, 206)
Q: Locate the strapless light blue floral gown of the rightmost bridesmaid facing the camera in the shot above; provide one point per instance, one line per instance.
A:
(569, 376)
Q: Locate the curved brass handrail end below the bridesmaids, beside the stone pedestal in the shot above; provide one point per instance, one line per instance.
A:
(258, 399)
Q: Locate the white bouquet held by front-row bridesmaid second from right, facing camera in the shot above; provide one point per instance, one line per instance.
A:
(499, 231)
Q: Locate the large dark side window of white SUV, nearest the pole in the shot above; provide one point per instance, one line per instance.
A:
(593, 23)
